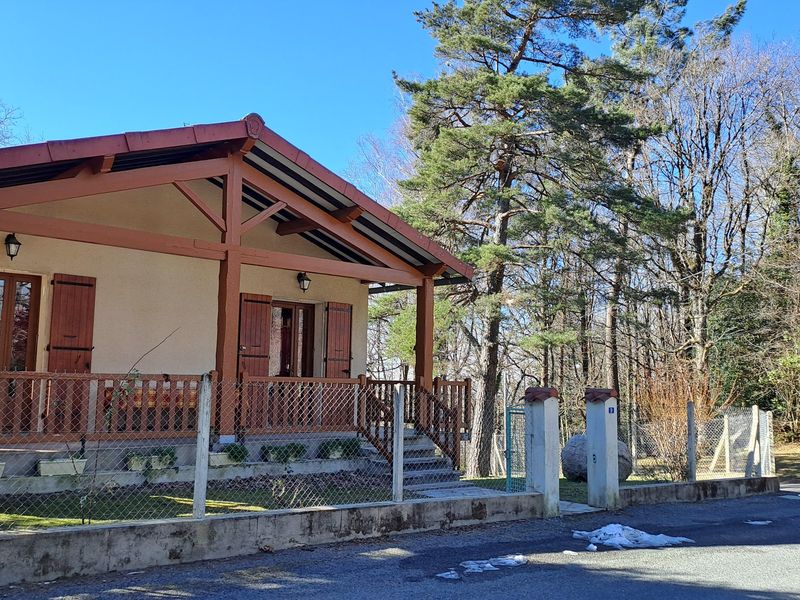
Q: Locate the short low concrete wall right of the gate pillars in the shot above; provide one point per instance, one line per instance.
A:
(696, 491)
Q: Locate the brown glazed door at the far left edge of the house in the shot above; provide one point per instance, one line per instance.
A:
(19, 311)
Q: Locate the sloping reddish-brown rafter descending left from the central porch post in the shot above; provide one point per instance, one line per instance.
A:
(102, 183)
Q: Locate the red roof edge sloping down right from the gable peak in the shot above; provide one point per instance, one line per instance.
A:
(348, 190)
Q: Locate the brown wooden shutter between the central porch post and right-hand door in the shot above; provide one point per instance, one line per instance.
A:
(255, 318)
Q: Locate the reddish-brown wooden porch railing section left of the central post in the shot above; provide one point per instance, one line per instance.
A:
(43, 407)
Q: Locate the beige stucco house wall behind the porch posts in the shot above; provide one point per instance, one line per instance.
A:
(142, 296)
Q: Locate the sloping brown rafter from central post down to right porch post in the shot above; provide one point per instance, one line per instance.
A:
(344, 232)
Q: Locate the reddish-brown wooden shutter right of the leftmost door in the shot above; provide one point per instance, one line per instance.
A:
(71, 324)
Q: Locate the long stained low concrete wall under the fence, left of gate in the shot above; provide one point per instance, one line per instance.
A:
(89, 550)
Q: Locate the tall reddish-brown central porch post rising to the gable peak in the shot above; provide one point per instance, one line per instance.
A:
(230, 272)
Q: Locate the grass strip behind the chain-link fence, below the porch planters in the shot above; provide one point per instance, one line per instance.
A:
(128, 504)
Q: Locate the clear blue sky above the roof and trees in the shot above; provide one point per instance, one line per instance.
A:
(319, 72)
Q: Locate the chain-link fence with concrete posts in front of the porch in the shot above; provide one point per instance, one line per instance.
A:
(99, 448)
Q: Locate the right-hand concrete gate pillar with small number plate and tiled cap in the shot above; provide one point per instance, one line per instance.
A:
(602, 468)
